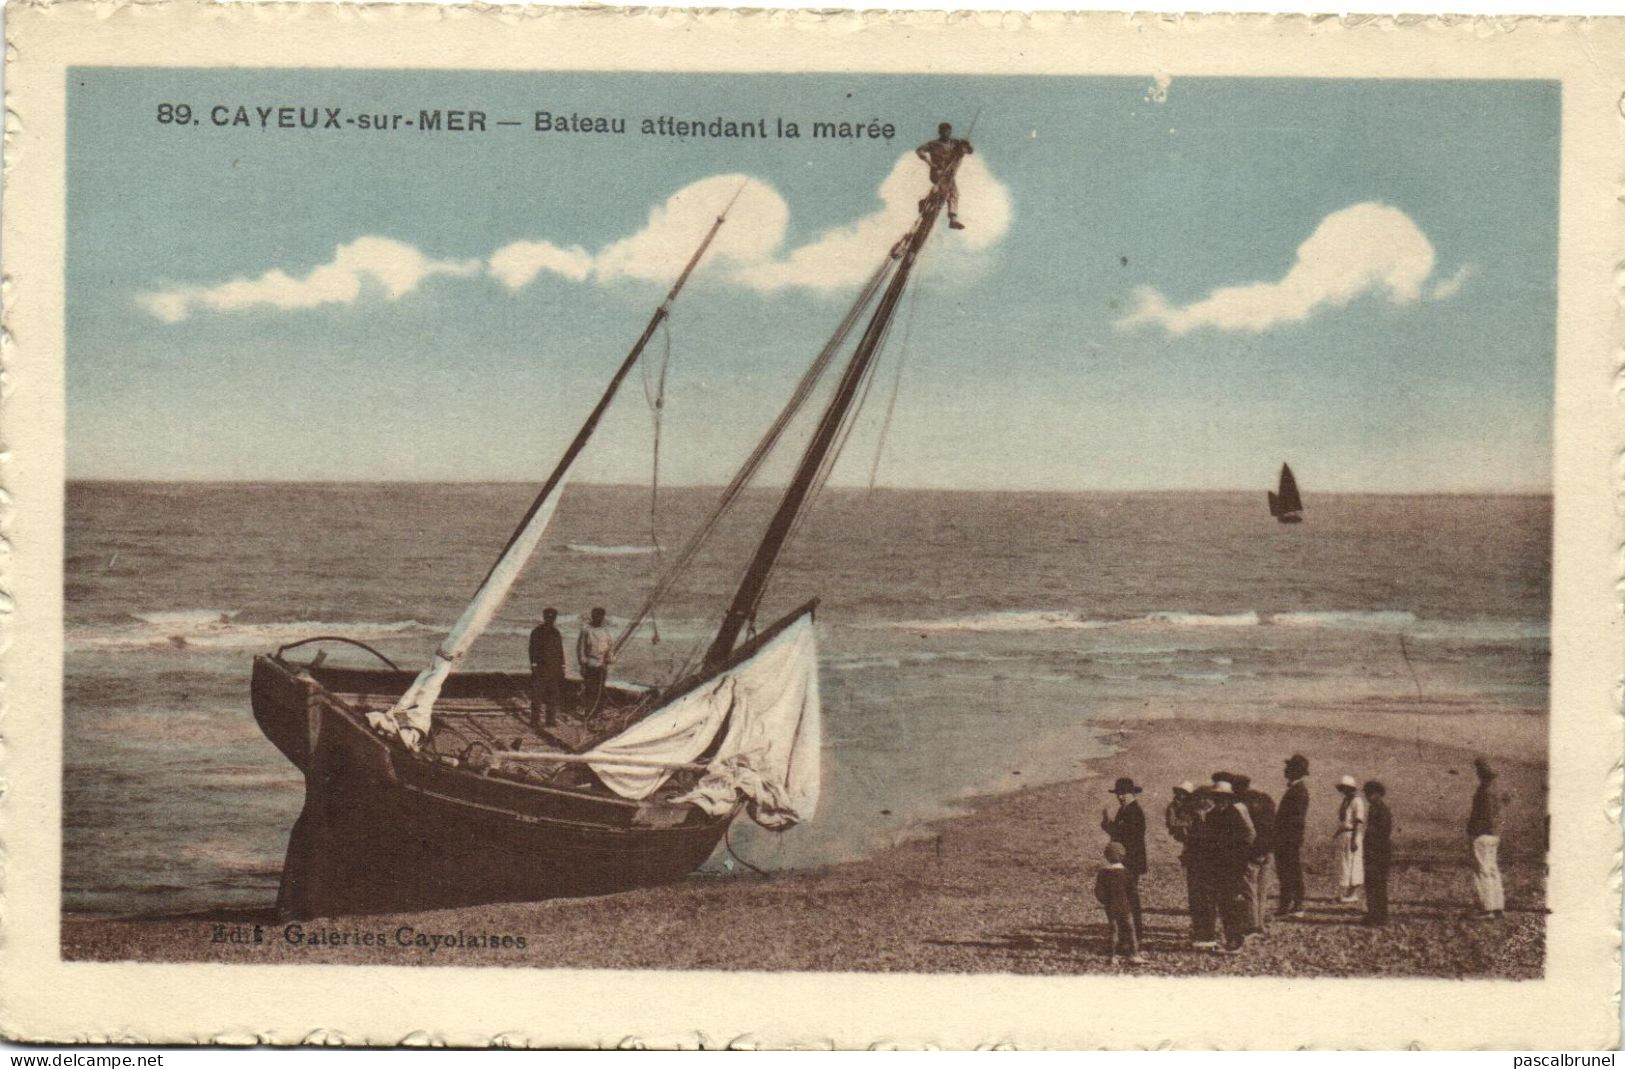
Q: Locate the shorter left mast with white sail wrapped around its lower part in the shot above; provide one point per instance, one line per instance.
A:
(417, 706)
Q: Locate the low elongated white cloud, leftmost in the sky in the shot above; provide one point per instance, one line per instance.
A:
(394, 267)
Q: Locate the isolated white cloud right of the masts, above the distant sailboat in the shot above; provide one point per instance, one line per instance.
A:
(1363, 249)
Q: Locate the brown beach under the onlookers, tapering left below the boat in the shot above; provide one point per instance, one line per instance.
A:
(1008, 888)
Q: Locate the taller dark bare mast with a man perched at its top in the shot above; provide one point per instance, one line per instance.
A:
(761, 568)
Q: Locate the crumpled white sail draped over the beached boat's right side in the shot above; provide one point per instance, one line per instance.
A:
(768, 709)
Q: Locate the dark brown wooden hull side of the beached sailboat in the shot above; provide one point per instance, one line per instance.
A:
(388, 831)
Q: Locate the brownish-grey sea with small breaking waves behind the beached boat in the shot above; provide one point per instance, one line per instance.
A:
(971, 643)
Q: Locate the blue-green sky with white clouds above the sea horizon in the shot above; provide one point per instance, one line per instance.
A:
(1163, 285)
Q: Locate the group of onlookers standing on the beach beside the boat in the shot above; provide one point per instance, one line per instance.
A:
(1229, 833)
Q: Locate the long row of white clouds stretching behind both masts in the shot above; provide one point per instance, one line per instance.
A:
(748, 253)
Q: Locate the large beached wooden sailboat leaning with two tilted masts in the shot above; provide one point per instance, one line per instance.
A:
(435, 790)
